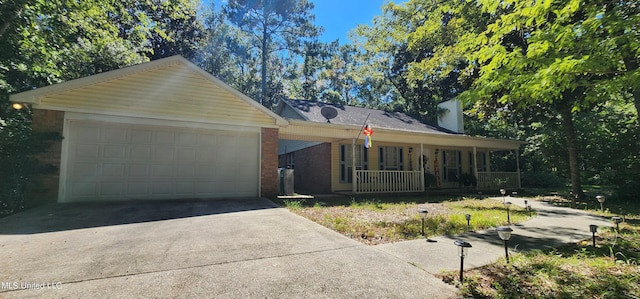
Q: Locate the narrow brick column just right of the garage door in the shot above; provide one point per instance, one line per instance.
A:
(269, 163)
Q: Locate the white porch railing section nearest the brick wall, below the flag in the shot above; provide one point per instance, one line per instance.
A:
(385, 181)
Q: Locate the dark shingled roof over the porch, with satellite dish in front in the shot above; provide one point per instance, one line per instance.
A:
(351, 115)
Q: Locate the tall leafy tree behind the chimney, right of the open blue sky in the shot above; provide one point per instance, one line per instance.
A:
(412, 44)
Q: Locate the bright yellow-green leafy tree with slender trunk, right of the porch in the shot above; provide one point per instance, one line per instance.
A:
(540, 55)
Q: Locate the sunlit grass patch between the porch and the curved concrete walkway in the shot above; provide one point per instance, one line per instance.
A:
(391, 219)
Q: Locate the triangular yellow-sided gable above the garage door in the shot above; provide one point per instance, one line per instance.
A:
(170, 88)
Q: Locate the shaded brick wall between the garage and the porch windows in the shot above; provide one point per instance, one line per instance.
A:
(312, 170)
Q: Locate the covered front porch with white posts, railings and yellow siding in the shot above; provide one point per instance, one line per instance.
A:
(402, 161)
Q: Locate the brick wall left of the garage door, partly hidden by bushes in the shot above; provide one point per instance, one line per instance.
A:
(48, 121)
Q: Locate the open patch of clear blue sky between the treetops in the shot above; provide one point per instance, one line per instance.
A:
(338, 17)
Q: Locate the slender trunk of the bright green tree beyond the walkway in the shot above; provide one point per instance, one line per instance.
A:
(572, 147)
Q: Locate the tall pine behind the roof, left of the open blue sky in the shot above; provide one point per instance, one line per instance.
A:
(273, 27)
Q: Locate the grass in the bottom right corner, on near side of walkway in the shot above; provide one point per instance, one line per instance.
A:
(609, 270)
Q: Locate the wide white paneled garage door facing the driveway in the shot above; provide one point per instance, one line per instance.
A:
(109, 161)
